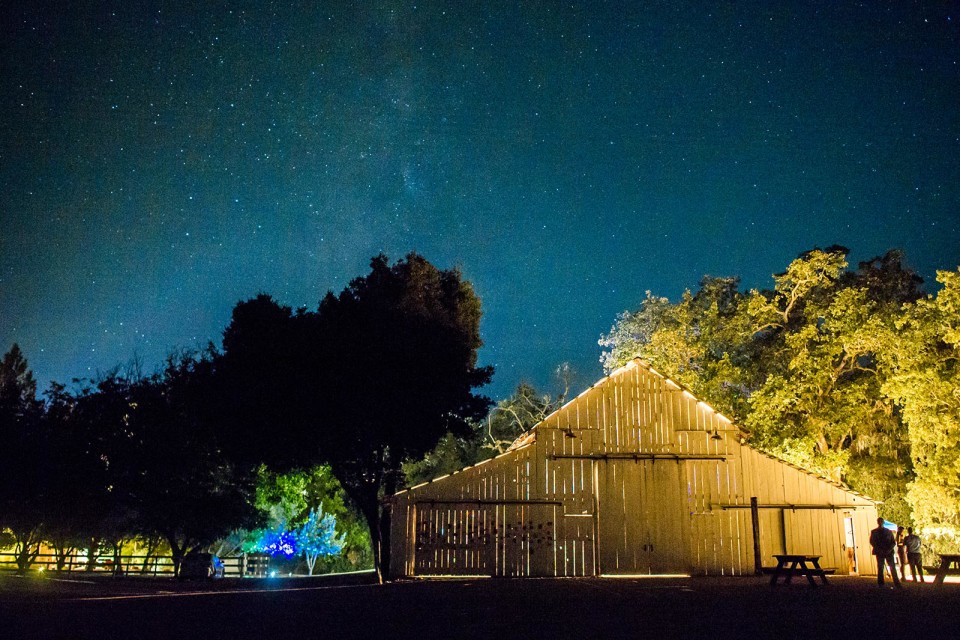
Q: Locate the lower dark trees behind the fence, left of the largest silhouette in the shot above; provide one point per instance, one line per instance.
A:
(123, 456)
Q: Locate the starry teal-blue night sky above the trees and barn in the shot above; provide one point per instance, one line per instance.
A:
(161, 162)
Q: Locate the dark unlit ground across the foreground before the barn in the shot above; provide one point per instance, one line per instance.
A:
(745, 607)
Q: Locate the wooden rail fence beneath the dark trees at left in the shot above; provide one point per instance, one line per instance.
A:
(246, 565)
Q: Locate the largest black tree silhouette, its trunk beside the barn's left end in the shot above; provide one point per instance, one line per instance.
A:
(377, 375)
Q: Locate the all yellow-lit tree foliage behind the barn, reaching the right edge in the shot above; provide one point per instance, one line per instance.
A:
(846, 372)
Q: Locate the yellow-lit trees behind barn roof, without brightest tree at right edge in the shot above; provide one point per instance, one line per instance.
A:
(800, 366)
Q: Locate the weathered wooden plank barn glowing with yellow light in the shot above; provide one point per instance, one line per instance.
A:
(633, 477)
